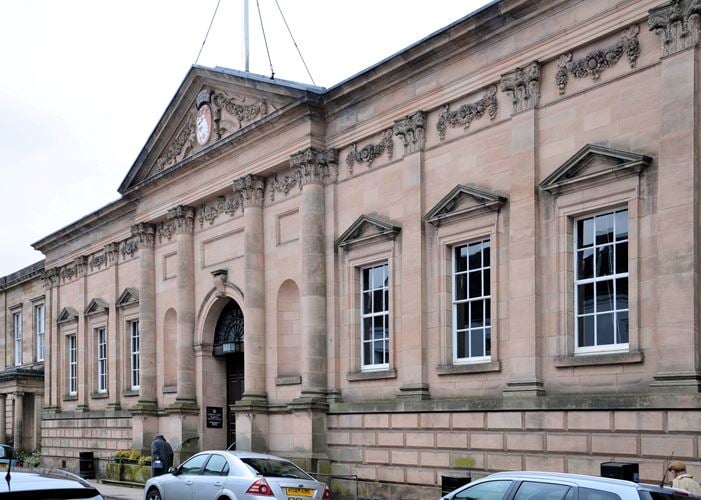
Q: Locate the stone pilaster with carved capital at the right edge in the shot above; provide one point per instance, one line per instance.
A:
(677, 200)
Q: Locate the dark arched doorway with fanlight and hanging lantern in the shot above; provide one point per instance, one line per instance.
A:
(228, 344)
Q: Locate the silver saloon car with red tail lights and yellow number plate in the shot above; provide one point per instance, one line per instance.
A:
(240, 475)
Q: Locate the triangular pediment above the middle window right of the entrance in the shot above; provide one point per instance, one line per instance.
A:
(463, 201)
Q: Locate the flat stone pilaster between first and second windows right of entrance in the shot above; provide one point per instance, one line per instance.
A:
(409, 345)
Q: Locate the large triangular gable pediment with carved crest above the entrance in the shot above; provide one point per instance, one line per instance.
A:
(211, 106)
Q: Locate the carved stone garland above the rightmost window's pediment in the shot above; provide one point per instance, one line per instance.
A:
(599, 60)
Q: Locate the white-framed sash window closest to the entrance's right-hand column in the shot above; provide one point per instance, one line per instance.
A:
(374, 318)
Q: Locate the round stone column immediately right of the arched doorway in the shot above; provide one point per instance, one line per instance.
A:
(252, 191)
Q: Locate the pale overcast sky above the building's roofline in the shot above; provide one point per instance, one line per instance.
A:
(84, 83)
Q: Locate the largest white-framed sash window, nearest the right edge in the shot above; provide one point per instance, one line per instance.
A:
(601, 282)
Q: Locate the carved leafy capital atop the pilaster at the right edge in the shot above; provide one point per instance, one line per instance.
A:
(677, 24)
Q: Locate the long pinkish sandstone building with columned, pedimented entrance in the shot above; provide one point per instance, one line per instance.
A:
(476, 255)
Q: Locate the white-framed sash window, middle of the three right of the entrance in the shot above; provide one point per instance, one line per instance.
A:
(472, 303)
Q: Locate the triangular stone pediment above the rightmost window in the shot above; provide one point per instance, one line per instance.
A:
(593, 164)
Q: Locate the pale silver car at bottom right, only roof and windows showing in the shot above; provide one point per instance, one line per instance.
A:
(555, 486)
